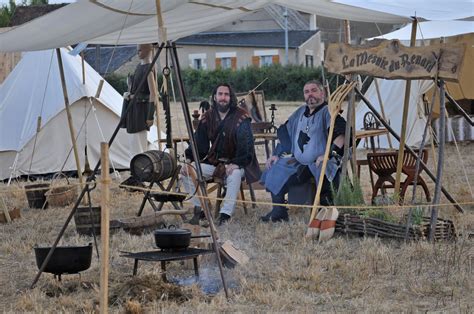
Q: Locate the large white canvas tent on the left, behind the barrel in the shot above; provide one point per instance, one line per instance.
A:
(34, 90)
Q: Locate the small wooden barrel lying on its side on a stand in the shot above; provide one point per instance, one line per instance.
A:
(152, 166)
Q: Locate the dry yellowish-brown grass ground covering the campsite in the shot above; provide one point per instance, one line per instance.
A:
(285, 272)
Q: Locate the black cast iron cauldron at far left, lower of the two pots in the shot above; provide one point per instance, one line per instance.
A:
(65, 259)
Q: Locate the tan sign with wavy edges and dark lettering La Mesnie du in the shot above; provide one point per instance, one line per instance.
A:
(393, 60)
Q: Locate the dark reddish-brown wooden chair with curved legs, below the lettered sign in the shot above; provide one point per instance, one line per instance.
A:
(384, 165)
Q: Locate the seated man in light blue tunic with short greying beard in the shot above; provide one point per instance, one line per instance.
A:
(300, 152)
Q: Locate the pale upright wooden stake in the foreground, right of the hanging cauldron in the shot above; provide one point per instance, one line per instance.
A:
(104, 228)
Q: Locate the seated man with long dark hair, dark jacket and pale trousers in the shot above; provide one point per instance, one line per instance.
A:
(226, 149)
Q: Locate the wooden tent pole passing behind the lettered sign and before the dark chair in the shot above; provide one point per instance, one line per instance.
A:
(401, 148)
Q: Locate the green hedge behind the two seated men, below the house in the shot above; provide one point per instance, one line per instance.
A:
(283, 83)
